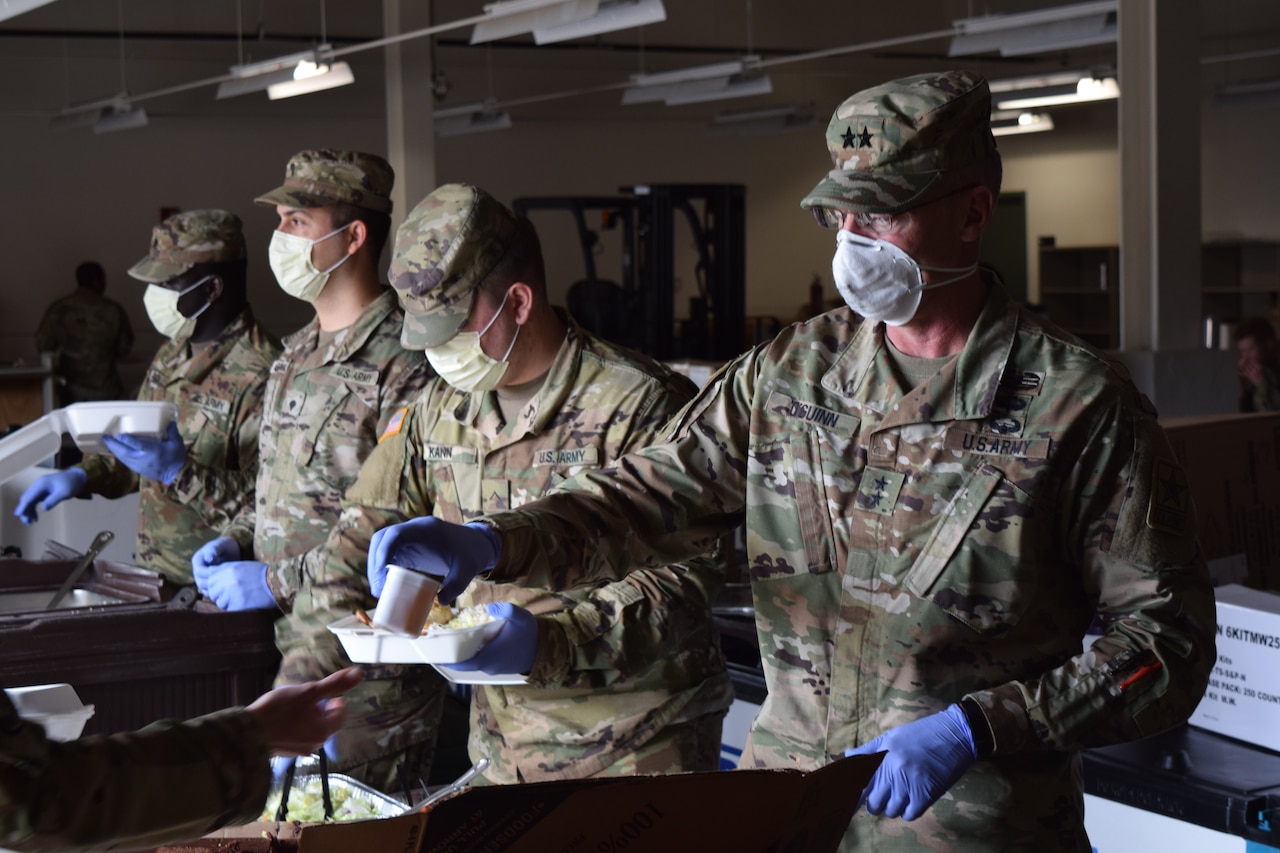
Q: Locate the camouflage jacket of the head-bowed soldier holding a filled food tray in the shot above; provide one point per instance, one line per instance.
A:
(616, 663)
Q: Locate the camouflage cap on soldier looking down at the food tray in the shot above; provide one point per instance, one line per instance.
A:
(445, 249)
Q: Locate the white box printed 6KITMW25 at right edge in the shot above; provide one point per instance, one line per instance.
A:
(1244, 696)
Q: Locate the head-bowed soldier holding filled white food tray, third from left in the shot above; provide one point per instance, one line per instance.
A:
(629, 677)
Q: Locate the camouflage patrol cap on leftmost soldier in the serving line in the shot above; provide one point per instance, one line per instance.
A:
(189, 239)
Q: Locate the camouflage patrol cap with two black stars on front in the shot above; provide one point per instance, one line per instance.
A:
(895, 145)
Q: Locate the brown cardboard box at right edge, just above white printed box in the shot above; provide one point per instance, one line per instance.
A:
(1233, 471)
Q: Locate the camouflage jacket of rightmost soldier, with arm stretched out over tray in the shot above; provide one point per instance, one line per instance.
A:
(912, 548)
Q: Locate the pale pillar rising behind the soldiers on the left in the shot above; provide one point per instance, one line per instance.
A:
(410, 103)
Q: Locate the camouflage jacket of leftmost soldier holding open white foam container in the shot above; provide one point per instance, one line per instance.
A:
(218, 390)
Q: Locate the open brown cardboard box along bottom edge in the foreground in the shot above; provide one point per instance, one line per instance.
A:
(740, 810)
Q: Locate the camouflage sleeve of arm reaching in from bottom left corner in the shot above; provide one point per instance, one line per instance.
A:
(166, 783)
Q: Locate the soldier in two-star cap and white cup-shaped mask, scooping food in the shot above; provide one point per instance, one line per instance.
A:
(940, 498)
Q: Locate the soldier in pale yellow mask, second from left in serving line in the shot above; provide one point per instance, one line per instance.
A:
(328, 399)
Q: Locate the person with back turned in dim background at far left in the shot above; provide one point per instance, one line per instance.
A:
(88, 334)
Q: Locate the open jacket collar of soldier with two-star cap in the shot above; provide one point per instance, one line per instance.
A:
(977, 370)
